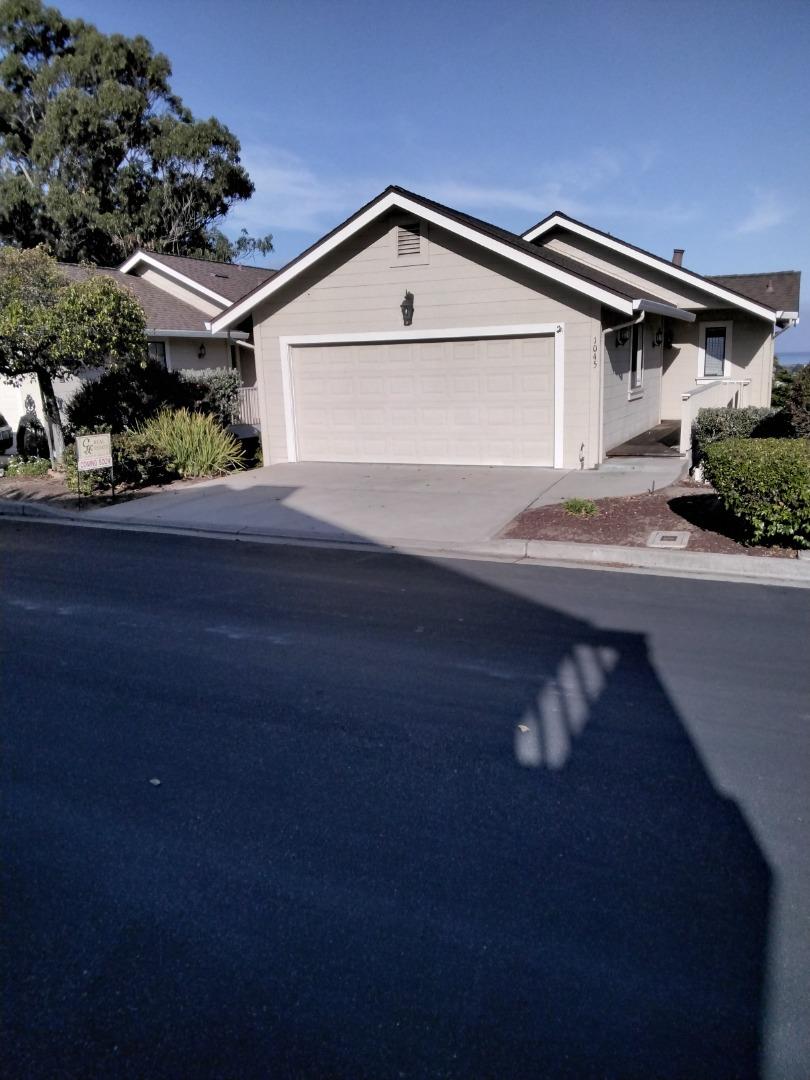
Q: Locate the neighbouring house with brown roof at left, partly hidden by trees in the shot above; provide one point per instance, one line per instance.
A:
(179, 296)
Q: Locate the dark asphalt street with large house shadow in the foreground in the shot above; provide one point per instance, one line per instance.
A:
(280, 813)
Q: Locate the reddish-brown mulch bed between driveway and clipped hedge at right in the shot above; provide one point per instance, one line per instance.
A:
(629, 521)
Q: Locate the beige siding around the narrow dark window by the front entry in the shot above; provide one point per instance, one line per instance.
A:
(752, 358)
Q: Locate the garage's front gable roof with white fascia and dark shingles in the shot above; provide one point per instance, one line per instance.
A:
(579, 277)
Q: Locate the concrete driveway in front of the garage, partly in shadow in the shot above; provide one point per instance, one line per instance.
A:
(337, 502)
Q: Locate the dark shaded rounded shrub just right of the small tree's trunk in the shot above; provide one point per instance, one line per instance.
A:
(127, 397)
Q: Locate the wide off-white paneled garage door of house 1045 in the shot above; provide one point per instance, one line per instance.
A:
(458, 402)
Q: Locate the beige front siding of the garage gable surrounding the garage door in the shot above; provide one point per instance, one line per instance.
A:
(360, 288)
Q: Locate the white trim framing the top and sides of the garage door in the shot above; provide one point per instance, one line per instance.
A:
(529, 330)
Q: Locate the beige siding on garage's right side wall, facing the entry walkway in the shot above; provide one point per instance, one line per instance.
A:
(625, 417)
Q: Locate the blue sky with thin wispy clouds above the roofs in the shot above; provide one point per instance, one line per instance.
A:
(671, 125)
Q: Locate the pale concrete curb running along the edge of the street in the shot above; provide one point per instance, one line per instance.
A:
(740, 569)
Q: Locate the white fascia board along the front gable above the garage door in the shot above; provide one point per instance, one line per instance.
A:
(395, 201)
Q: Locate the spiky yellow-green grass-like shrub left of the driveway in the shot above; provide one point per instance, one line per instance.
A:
(195, 442)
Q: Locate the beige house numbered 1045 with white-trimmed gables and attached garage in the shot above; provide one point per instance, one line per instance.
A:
(547, 349)
